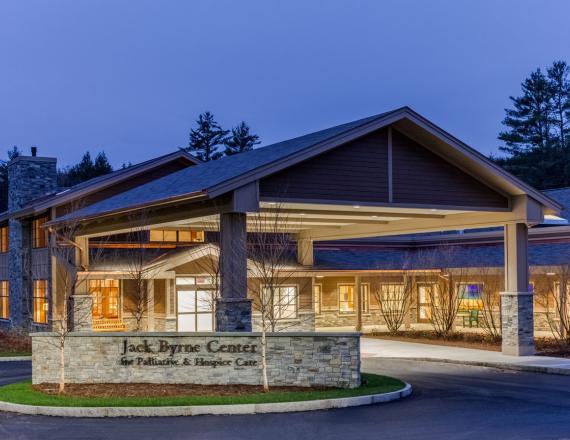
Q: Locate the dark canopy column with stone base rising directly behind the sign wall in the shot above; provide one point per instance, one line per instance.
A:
(233, 308)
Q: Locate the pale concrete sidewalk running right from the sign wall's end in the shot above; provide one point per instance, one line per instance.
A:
(371, 348)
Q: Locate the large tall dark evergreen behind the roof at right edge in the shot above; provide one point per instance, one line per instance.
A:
(537, 142)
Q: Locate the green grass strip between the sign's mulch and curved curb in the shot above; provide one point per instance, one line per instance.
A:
(22, 392)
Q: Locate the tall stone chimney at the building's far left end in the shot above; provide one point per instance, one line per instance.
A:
(29, 177)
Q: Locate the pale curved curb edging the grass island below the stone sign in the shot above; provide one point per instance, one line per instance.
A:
(177, 411)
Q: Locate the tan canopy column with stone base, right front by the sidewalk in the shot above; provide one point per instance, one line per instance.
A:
(516, 300)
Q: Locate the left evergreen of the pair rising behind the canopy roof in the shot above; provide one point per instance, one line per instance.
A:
(206, 138)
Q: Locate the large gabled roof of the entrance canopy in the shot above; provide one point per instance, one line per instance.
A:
(217, 177)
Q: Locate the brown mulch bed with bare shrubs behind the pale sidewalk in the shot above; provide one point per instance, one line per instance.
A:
(544, 346)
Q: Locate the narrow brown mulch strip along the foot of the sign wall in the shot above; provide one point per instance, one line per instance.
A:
(161, 390)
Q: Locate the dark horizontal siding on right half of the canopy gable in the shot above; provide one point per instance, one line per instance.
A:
(422, 177)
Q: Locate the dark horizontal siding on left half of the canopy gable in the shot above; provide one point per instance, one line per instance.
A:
(356, 171)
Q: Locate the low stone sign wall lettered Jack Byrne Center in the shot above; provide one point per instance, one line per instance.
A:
(296, 359)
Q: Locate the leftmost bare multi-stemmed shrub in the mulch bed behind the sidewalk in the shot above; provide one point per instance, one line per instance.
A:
(394, 299)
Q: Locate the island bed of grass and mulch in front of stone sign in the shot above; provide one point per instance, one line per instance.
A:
(25, 393)
